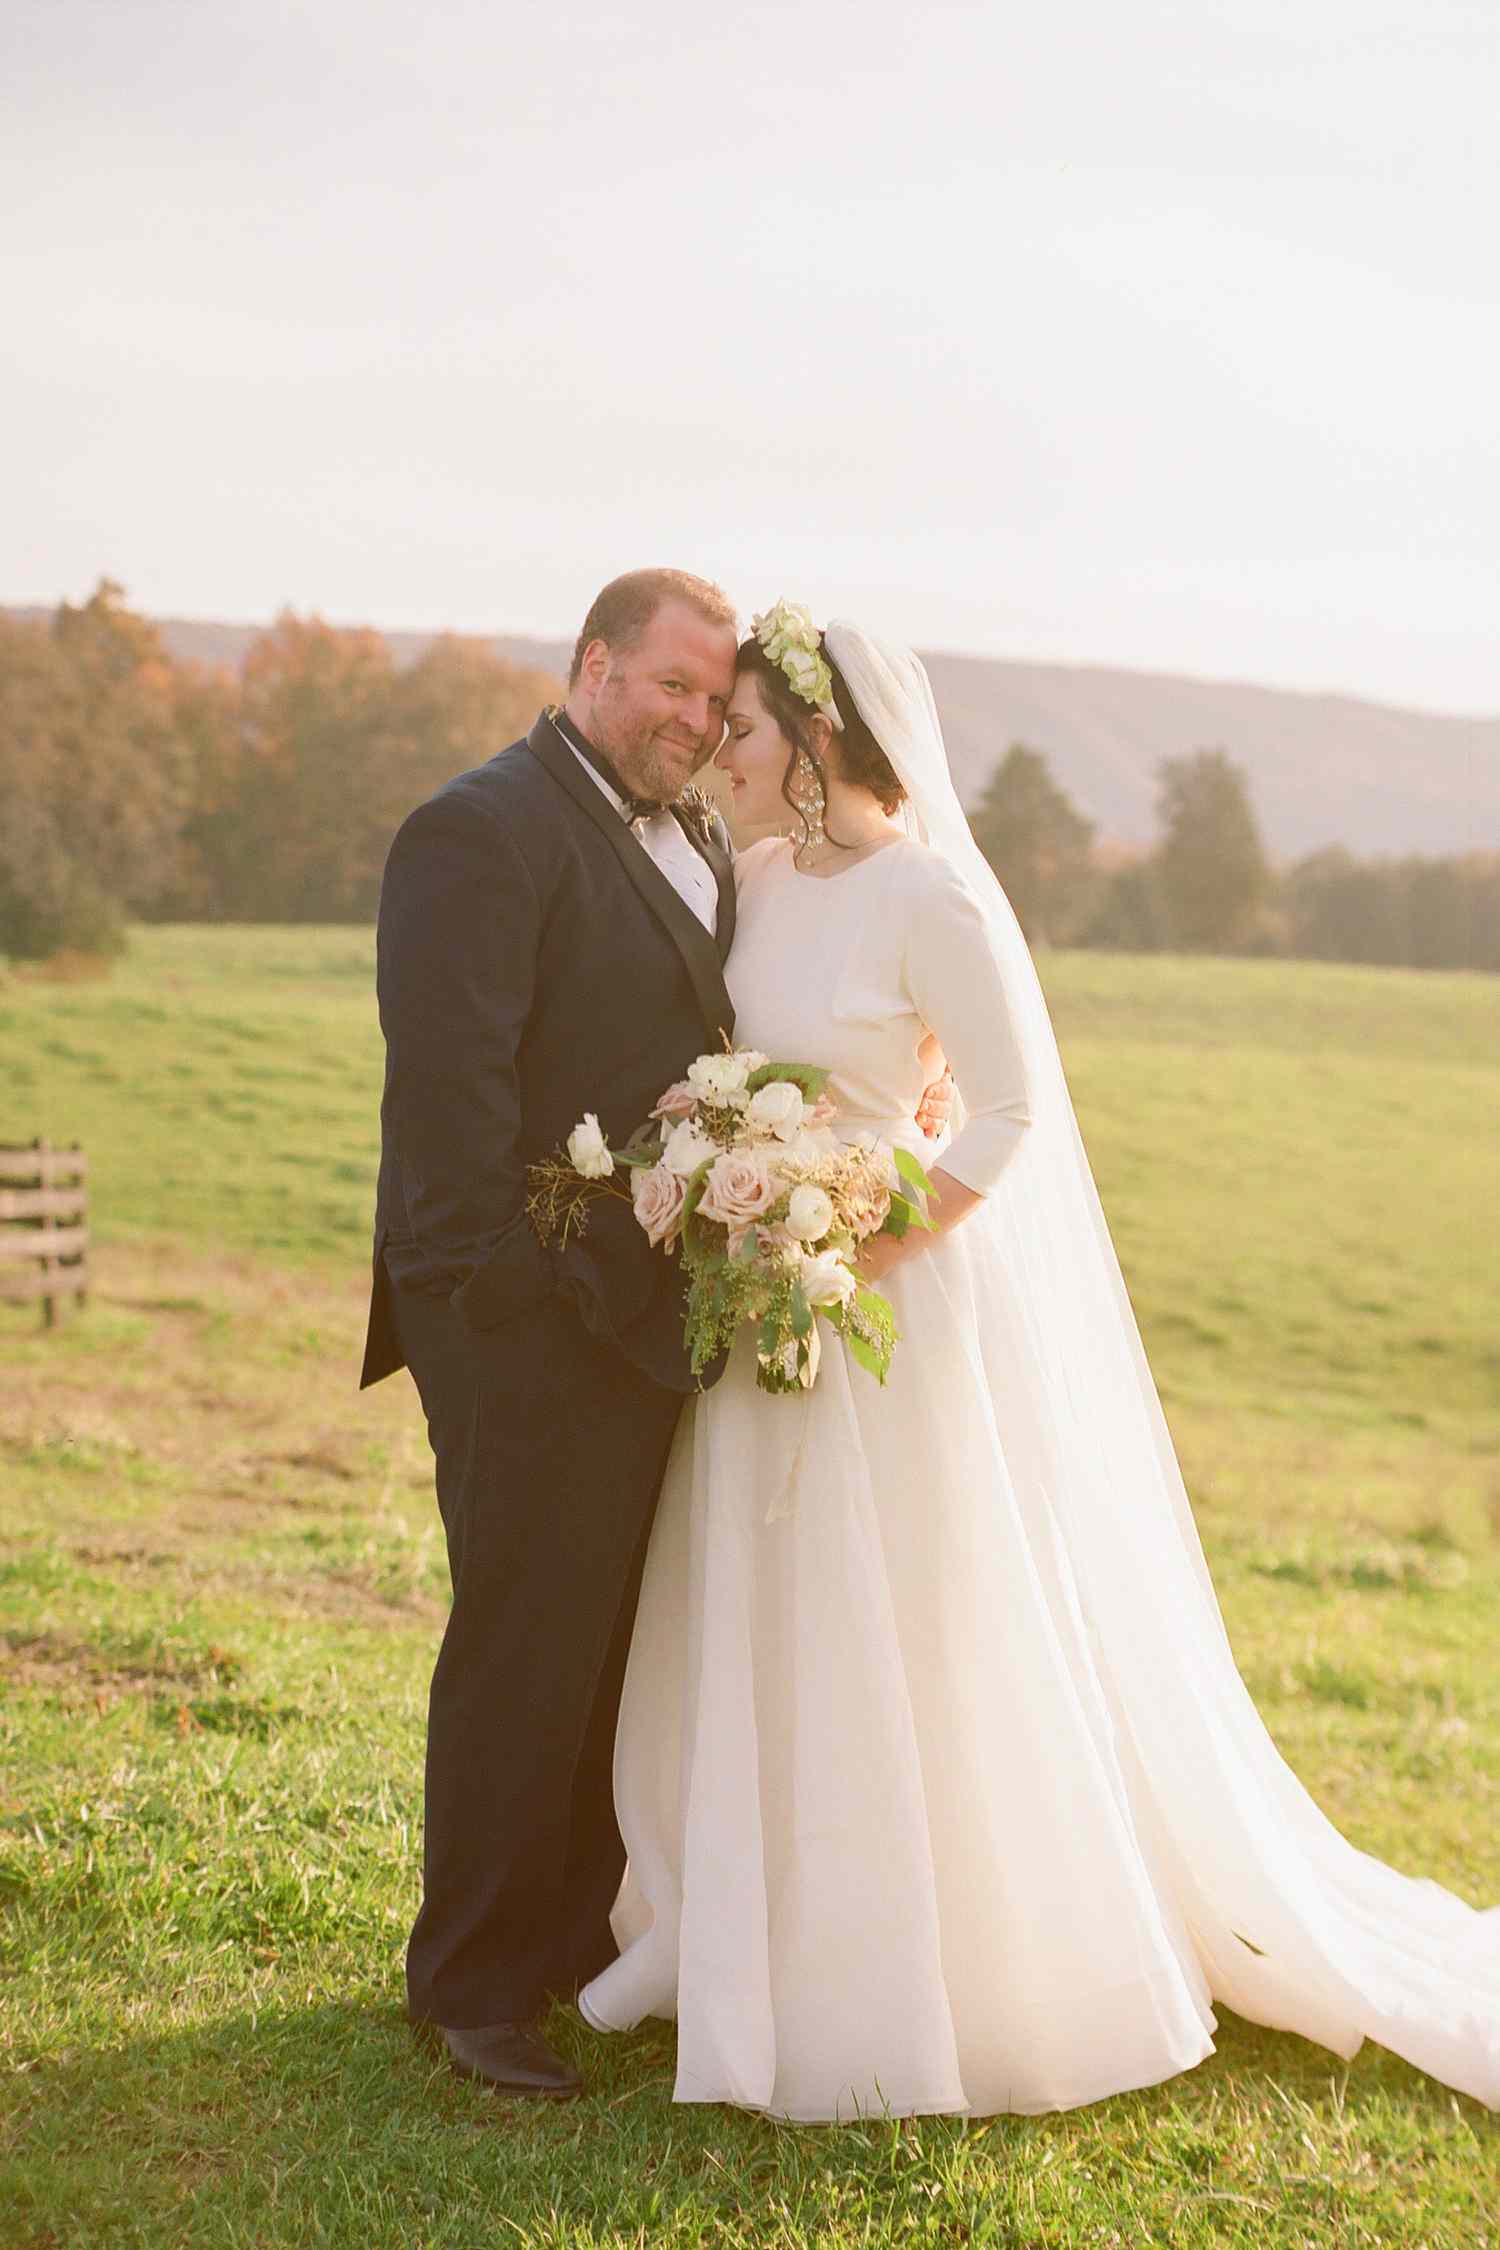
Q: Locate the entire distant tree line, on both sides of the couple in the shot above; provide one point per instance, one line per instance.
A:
(134, 786)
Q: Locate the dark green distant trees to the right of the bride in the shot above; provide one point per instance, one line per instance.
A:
(1209, 885)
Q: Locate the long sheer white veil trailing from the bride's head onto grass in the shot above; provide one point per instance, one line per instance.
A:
(1294, 1927)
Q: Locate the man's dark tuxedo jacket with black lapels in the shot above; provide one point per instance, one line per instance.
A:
(534, 962)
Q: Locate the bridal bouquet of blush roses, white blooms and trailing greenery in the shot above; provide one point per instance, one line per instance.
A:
(741, 1173)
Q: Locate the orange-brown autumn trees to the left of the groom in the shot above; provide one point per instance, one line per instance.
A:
(138, 786)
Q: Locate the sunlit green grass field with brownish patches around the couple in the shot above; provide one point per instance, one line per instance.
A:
(222, 1587)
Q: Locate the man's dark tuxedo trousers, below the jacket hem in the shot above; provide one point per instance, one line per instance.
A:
(550, 1457)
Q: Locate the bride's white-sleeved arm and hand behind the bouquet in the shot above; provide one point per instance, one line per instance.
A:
(957, 987)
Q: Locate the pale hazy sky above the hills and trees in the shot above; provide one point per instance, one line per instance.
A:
(1105, 334)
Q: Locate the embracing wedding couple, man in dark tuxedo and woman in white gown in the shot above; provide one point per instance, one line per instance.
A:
(932, 1788)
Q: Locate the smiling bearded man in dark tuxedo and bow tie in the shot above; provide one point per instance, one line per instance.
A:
(552, 939)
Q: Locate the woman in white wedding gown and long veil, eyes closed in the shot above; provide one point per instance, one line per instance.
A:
(939, 1781)
